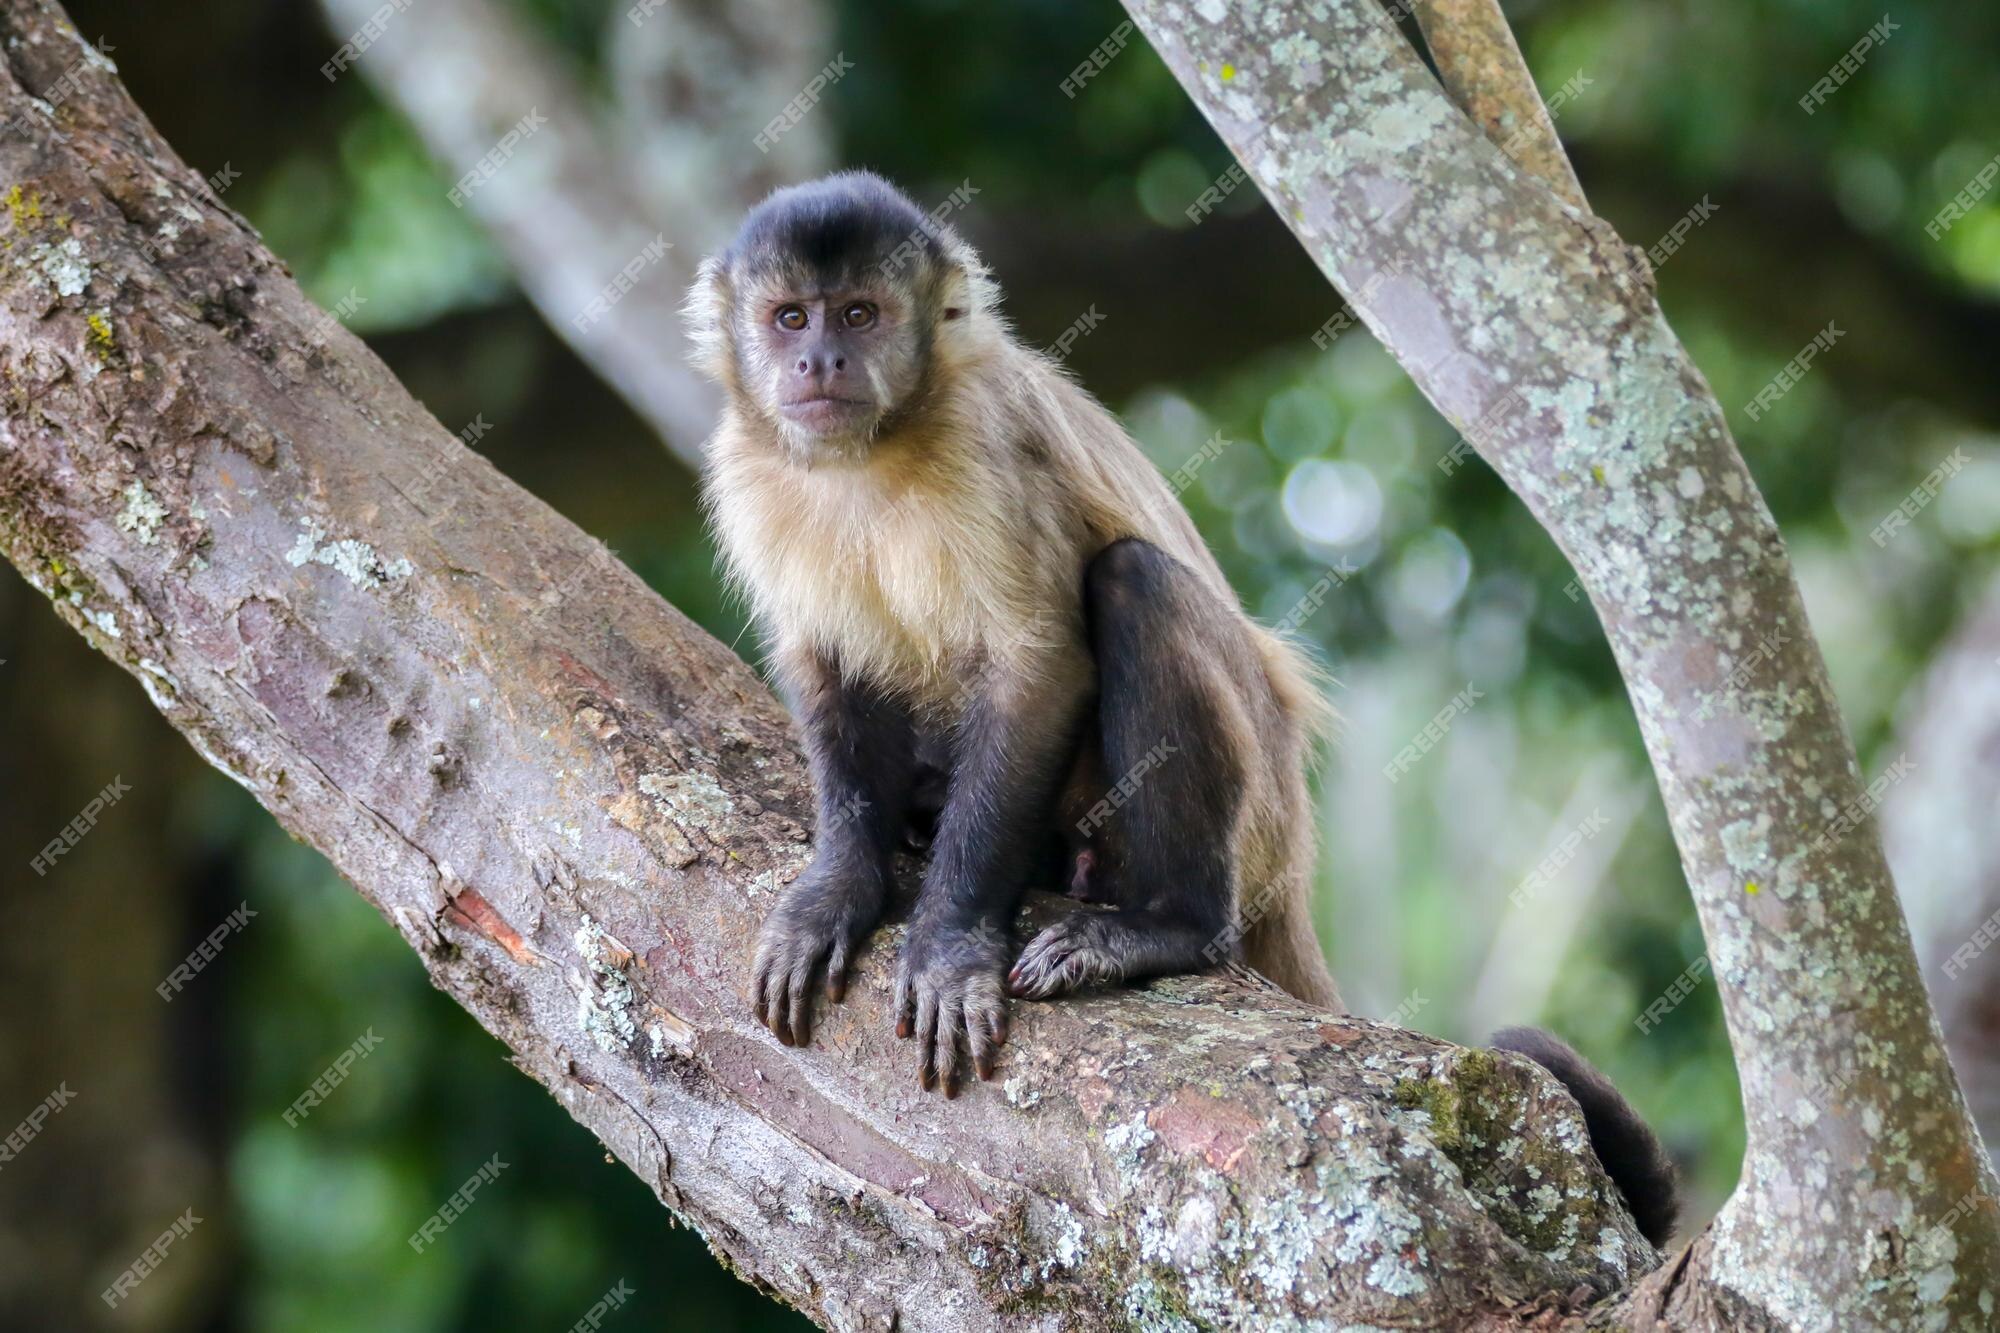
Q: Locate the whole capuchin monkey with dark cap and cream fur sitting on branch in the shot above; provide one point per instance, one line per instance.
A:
(997, 627)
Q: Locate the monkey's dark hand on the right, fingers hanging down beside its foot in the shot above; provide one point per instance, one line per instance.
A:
(949, 996)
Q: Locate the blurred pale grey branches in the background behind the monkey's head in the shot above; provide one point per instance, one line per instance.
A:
(575, 203)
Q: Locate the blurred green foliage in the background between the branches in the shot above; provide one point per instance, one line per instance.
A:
(1329, 459)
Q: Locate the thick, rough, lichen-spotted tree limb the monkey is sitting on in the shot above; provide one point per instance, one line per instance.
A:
(577, 808)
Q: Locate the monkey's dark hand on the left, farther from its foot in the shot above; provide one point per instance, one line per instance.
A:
(821, 922)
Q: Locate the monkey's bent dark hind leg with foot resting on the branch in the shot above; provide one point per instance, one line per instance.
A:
(1173, 754)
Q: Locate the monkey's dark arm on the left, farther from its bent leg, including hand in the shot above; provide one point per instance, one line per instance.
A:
(861, 748)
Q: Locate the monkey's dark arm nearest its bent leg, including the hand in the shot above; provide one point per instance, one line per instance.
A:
(1013, 748)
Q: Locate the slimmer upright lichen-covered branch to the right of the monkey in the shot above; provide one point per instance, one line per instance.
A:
(1865, 1196)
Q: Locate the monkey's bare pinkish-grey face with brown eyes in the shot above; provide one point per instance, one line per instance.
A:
(829, 361)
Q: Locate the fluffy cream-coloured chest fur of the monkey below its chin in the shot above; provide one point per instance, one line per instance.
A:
(911, 581)
